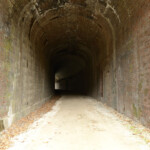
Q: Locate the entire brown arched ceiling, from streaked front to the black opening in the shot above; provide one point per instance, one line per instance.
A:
(59, 24)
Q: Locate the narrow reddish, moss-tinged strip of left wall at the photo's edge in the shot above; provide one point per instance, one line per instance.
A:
(5, 45)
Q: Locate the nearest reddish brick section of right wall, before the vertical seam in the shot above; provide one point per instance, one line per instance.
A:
(133, 61)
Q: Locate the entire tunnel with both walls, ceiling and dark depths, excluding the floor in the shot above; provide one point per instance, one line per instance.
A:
(97, 48)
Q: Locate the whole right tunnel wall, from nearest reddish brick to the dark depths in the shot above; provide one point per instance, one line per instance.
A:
(132, 59)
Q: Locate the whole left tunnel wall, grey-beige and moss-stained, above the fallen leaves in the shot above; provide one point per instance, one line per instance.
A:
(23, 68)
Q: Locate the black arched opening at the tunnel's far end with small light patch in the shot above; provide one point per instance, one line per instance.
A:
(72, 71)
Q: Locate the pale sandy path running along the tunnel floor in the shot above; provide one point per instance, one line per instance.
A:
(78, 123)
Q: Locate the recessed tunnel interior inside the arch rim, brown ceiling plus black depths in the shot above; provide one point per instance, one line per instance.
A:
(74, 45)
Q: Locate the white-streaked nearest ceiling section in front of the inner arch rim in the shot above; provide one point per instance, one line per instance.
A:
(112, 11)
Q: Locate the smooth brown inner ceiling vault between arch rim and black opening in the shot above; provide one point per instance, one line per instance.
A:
(71, 27)
